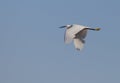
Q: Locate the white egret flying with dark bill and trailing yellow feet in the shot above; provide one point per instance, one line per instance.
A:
(77, 33)
